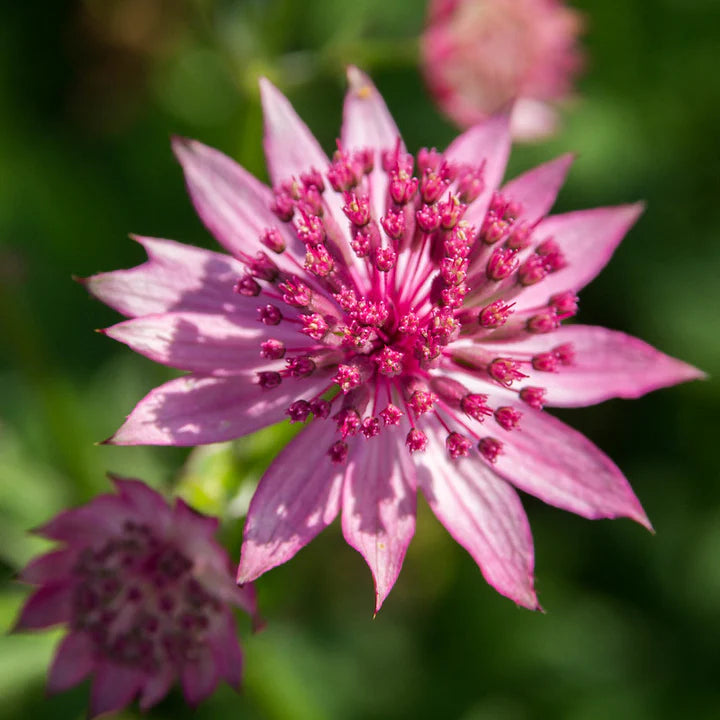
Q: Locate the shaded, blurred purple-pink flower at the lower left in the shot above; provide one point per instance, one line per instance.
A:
(146, 594)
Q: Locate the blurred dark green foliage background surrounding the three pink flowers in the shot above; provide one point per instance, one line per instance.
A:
(90, 90)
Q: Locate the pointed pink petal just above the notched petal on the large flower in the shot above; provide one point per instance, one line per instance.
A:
(233, 204)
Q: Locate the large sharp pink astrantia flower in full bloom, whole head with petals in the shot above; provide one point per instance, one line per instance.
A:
(409, 313)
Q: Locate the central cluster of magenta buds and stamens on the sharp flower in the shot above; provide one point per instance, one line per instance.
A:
(379, 305)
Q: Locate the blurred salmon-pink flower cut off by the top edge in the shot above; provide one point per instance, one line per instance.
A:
(480, 55)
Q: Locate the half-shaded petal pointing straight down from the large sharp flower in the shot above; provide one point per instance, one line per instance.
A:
(378, 514)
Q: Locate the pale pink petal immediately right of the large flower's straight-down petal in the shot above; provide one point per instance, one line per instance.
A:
(484, 515)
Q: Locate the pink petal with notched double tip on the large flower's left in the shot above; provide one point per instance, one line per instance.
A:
(175, 277)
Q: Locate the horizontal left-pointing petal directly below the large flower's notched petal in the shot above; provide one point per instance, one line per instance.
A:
(202, 342)
